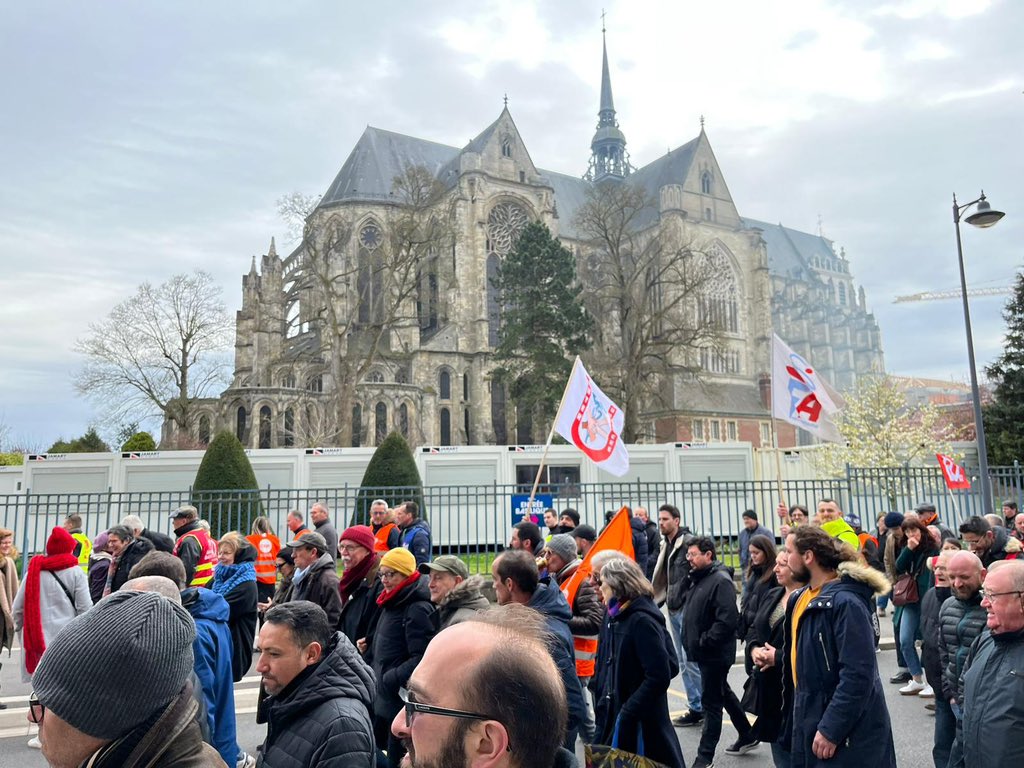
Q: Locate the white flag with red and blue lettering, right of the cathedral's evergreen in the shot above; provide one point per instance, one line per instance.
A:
(800, 396)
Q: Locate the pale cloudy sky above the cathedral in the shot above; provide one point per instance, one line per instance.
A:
(142, 140)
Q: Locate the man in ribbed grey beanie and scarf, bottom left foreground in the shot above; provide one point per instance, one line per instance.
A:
(145, 719)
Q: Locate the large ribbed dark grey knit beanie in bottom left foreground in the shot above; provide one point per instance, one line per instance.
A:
(141, 643)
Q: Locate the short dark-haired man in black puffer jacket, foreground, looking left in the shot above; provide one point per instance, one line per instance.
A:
(321, 691)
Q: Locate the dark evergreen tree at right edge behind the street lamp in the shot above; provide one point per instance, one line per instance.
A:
(1004, 418)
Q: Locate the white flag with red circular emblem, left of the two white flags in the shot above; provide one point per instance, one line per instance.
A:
(592, 422)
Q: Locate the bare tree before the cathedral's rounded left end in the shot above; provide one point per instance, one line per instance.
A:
(369, 287)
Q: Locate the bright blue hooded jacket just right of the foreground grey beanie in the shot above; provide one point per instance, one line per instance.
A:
(212, 650)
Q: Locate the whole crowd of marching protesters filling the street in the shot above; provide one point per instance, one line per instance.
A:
(570, 644)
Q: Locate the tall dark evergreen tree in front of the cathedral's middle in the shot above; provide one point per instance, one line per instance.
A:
(544, 324)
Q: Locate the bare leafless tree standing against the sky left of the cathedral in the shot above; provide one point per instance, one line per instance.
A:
(158, 353)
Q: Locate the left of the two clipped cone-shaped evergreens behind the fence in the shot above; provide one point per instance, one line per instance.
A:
(225, 491)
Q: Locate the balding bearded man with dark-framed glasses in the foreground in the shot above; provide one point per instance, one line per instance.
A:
(473, 702)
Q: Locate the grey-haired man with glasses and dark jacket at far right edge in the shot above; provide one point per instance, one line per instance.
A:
(994, 691)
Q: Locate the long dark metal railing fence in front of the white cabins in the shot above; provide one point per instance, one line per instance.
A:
(476, 520)
